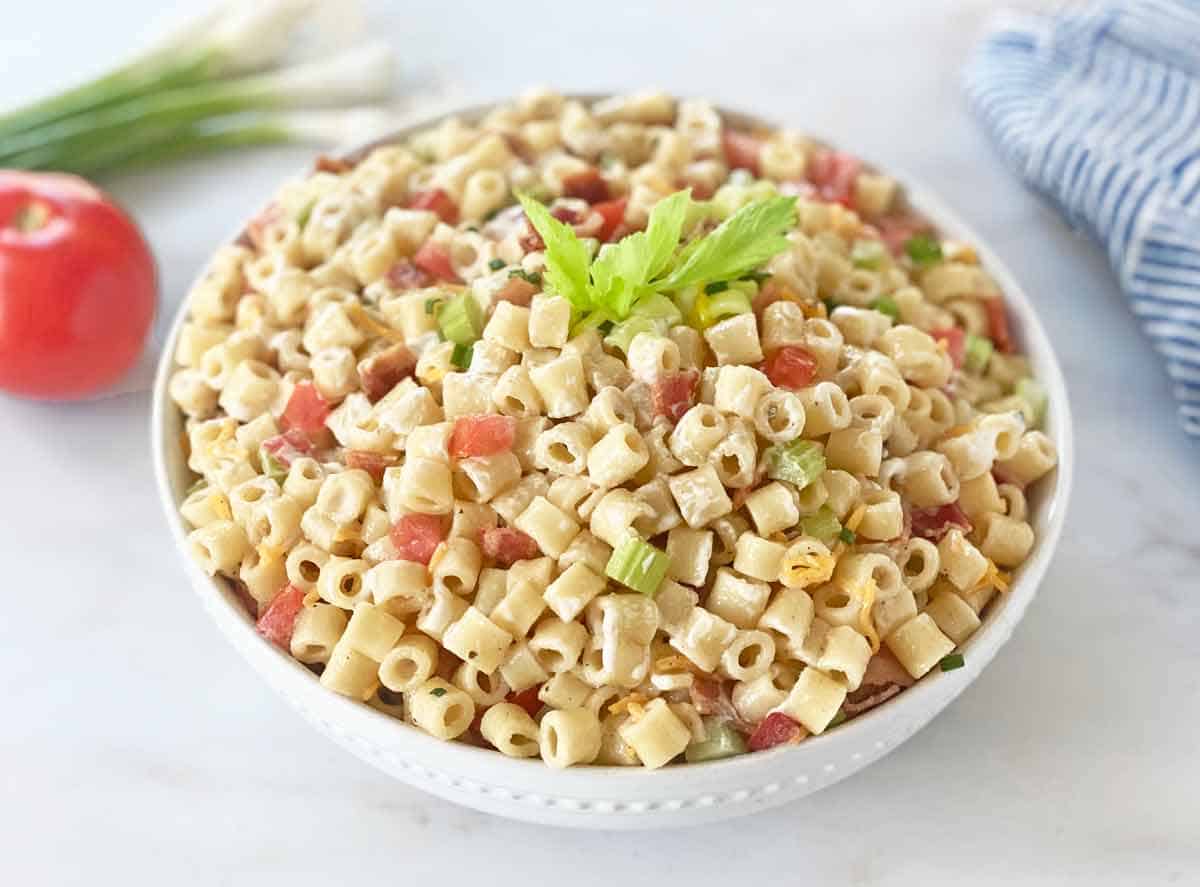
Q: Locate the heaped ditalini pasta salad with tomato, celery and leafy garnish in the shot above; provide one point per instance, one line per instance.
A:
(608, 434)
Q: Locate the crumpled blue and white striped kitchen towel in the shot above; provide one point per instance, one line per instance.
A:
(1099, 107)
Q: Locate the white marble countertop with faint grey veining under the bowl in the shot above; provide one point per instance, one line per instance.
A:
(139, 750)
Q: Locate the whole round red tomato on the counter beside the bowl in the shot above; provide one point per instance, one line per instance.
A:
(77, 287)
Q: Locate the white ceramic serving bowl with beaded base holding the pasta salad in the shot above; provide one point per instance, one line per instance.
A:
(615, 798)
